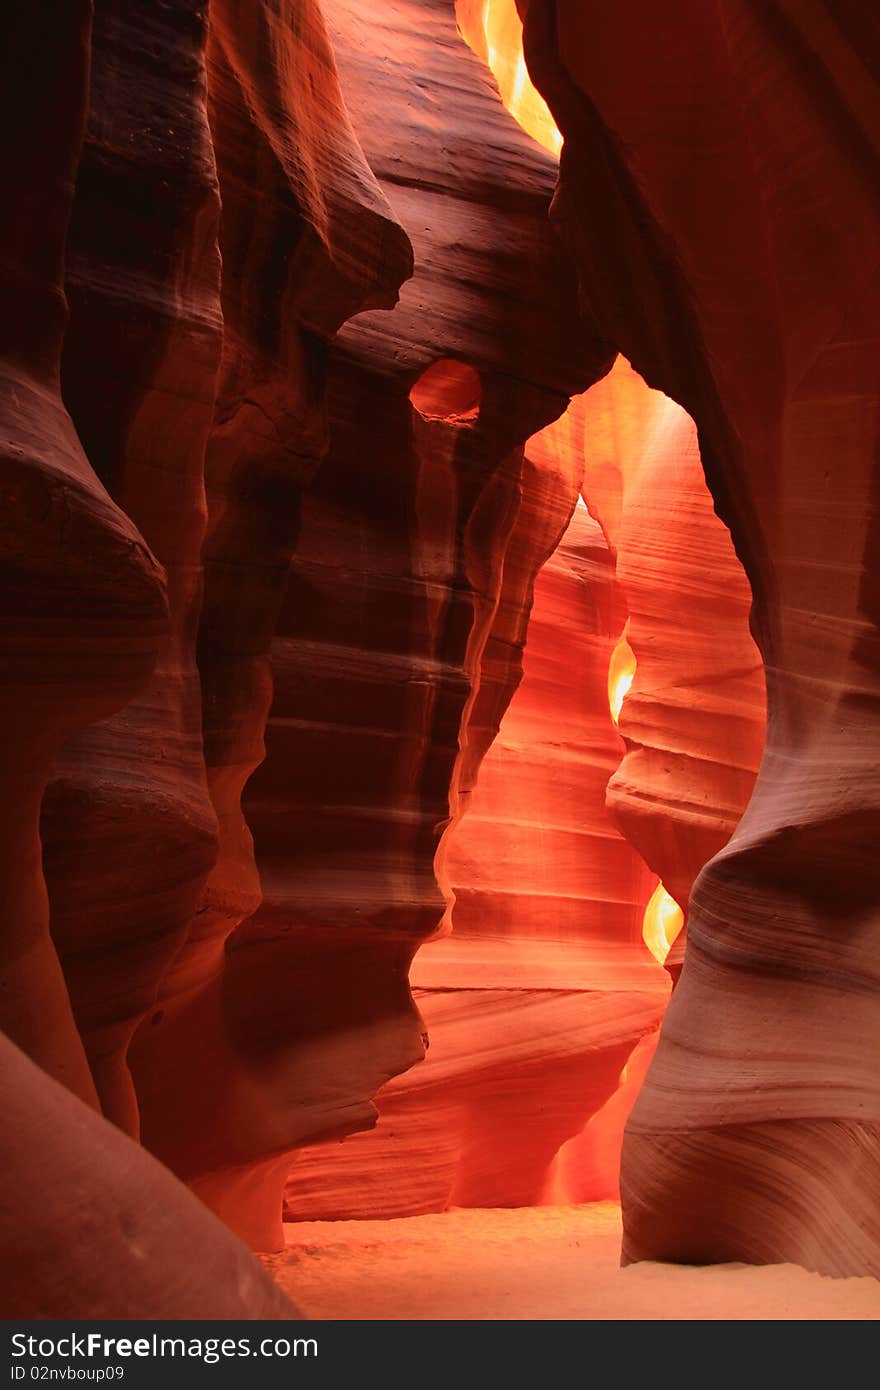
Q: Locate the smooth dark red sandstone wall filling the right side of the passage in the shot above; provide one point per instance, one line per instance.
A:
(719, 191)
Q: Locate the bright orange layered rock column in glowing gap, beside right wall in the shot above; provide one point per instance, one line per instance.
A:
(694, 715)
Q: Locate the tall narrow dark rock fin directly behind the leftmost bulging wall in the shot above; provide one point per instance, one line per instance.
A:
(129, 829)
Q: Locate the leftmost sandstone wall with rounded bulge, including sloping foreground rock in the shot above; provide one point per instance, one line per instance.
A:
(90, 1224)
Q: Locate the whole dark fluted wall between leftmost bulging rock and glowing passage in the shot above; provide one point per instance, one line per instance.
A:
(402, 618)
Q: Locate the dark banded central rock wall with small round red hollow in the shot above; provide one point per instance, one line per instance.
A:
(394, 591)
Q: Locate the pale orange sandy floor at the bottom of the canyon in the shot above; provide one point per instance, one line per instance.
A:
(535, 1264)
